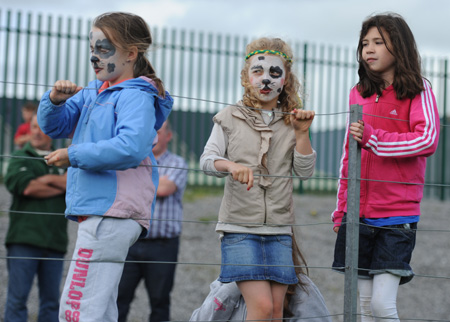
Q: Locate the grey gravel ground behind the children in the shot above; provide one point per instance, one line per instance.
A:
(423, 299)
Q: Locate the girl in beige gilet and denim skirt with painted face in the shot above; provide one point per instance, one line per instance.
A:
(264, 134)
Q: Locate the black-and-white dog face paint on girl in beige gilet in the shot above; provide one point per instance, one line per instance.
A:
(267, 75)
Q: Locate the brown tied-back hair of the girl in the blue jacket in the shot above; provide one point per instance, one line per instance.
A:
(126, 30)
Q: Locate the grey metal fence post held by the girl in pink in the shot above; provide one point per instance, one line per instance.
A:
(352, 236)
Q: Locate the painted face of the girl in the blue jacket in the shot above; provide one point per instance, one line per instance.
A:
(109, 63)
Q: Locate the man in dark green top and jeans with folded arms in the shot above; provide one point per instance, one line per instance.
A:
(36, 189)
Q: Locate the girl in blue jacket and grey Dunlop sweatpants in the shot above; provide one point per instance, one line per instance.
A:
(111, 184)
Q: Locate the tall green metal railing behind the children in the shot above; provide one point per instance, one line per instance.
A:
(202, 71)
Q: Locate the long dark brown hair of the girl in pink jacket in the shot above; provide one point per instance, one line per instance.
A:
(407, 66)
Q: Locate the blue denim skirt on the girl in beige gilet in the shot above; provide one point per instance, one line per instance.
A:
(257, 257)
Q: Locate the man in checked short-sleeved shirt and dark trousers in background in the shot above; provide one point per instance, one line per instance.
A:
(162, 241)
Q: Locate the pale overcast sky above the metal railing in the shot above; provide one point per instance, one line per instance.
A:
(321, 21)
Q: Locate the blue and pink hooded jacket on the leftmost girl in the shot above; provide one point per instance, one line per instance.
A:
(111, 157)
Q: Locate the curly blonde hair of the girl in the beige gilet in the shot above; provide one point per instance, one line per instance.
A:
(288, 98)
